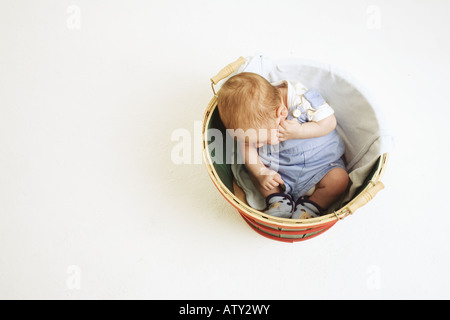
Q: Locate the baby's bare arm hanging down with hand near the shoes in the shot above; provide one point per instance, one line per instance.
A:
(265, 180)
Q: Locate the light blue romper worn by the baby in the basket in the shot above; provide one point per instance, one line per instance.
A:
(302, 163)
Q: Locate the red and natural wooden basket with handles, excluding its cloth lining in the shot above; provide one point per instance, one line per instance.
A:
(281, 229)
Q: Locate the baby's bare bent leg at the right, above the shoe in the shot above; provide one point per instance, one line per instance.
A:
(330, 188)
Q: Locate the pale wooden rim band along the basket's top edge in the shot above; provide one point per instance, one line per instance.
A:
(258, 215)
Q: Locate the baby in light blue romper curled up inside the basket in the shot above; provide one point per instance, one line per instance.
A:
(290, 146)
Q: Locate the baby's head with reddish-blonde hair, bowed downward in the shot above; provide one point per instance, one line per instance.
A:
(248, 102)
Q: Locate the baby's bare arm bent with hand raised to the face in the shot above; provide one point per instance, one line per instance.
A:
(292, 129)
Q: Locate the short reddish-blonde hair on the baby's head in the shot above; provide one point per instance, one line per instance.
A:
(248, 101)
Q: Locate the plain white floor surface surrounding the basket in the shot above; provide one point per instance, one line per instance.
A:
(93, 207)
